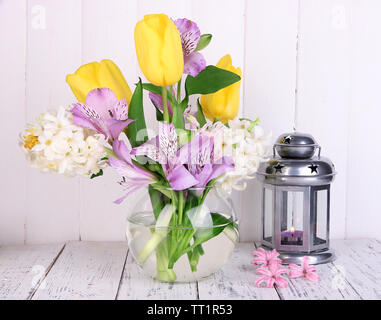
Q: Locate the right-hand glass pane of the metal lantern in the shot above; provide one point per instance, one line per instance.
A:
(320, 223)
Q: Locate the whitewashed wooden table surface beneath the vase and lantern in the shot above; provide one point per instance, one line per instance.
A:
(106, 270)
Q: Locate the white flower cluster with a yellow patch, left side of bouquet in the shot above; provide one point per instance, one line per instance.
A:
(56, 144)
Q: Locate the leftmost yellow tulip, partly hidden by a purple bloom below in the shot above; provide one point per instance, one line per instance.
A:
(105, 74)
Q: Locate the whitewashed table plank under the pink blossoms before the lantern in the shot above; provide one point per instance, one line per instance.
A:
(327, 288)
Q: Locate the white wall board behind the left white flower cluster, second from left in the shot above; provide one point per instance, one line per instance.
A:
(54, 50)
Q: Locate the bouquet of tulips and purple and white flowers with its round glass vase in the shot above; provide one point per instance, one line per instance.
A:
(185, 228)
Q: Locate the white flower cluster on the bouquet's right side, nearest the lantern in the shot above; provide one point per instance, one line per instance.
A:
(246, 142)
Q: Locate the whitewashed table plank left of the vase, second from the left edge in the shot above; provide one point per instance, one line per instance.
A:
(85, 270)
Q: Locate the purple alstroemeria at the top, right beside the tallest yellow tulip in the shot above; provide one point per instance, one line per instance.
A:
(194, 61)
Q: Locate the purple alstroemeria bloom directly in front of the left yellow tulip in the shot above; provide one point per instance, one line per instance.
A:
(102, 113)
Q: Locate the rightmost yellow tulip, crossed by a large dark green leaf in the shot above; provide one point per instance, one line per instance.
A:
(223, 105)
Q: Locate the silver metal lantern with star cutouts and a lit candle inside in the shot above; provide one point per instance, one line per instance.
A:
(295, 199)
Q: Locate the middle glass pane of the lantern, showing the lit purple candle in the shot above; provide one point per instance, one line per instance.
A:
(292, 218)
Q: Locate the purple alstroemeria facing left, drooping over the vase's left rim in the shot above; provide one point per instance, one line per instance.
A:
(133, 176)
